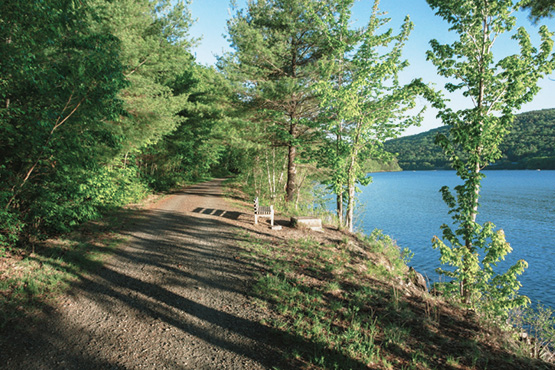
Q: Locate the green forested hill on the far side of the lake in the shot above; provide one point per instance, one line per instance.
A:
(529, 145)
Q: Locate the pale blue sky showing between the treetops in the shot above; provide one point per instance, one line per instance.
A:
(211, 17)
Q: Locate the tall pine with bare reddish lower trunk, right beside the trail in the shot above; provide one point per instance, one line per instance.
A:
(276, 47)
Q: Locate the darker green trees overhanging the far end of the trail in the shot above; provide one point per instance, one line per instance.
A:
(204, 139)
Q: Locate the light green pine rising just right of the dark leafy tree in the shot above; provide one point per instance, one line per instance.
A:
(154, 52)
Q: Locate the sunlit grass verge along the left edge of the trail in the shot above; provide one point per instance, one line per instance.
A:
(32, 279)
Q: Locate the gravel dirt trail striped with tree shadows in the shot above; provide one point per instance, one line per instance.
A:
(174, 297)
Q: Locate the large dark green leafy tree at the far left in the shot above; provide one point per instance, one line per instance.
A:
(59, 85)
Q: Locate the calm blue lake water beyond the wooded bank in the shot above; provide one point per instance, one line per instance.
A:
(408, 207)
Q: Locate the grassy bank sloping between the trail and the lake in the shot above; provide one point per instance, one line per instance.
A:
(346, 307)
